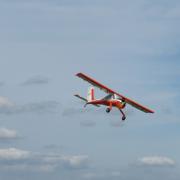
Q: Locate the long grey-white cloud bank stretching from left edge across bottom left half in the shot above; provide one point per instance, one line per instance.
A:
(13, 159)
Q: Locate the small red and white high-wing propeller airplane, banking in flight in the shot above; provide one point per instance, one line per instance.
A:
(113, 99)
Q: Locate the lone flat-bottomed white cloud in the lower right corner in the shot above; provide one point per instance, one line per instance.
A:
(156, 161)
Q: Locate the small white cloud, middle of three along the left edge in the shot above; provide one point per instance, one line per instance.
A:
(7, 133)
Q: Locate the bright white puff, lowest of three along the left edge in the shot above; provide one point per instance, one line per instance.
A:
(13, 154)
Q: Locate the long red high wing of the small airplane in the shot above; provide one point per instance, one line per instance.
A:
(110, 91)
